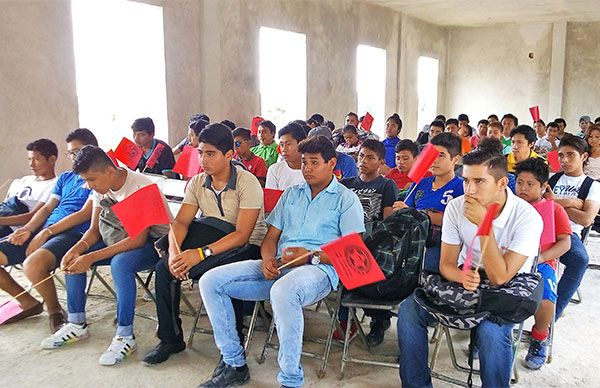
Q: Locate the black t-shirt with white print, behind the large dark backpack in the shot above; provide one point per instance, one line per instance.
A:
(374, 195)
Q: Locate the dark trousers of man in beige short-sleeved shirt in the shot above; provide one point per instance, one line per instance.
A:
(168, 288)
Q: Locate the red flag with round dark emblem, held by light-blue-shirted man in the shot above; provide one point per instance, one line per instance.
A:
(353, 261)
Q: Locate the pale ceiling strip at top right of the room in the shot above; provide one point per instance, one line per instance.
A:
(481, 12)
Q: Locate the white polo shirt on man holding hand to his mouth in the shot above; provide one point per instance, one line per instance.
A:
(515, 228)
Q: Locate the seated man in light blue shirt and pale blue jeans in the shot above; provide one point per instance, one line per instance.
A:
(306, 217)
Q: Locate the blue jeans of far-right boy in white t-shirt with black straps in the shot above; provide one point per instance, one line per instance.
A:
(576, 261)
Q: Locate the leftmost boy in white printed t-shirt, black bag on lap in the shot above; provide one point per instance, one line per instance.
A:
(28, 194)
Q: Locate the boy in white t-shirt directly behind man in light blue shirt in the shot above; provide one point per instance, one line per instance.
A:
(287, 172)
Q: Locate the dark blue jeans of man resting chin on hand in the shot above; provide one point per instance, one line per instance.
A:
(493, 340)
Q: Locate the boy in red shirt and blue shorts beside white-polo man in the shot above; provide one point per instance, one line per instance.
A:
(532, 182)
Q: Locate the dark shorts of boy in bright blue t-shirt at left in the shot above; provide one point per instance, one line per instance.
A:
(58, 245)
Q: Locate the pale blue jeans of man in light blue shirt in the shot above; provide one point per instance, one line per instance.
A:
(295, 288)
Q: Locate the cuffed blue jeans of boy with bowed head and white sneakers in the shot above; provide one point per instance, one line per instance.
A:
(123, 267)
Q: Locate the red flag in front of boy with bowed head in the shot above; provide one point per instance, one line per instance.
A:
(142, 209)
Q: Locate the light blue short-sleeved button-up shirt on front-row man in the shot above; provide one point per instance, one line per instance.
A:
(310, 223)
